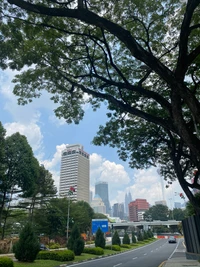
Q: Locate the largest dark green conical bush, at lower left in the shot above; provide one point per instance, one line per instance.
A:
(27, 248)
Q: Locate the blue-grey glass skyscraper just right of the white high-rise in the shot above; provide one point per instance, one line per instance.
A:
(101, 189)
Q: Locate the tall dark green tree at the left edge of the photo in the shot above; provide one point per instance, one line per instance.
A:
(20, 169)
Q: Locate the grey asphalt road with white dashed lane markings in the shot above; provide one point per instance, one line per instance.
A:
(148, 256)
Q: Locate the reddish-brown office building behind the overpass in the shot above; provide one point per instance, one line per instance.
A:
(137, 208)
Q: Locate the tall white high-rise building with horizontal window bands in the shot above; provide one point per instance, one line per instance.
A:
(75, 172)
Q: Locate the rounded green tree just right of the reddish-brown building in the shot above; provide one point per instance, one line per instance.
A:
(157, 212)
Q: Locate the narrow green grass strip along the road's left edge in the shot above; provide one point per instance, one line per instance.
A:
(83, 256)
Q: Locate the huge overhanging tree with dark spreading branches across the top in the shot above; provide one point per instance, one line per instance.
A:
(133, 56)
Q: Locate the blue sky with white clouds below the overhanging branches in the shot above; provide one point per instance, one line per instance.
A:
(48, 136)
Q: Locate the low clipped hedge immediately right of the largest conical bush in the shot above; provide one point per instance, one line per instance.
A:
(59, 255)
